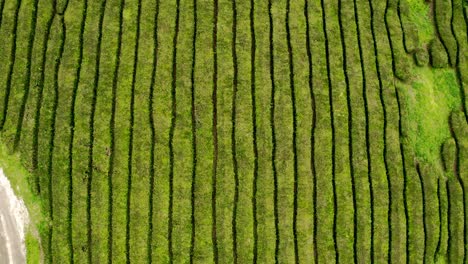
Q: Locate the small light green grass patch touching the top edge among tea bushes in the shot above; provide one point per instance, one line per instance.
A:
(418, 14)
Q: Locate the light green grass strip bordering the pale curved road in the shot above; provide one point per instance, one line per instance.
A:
(19, 177)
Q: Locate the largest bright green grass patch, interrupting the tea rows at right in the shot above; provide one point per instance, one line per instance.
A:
(433, 94)
